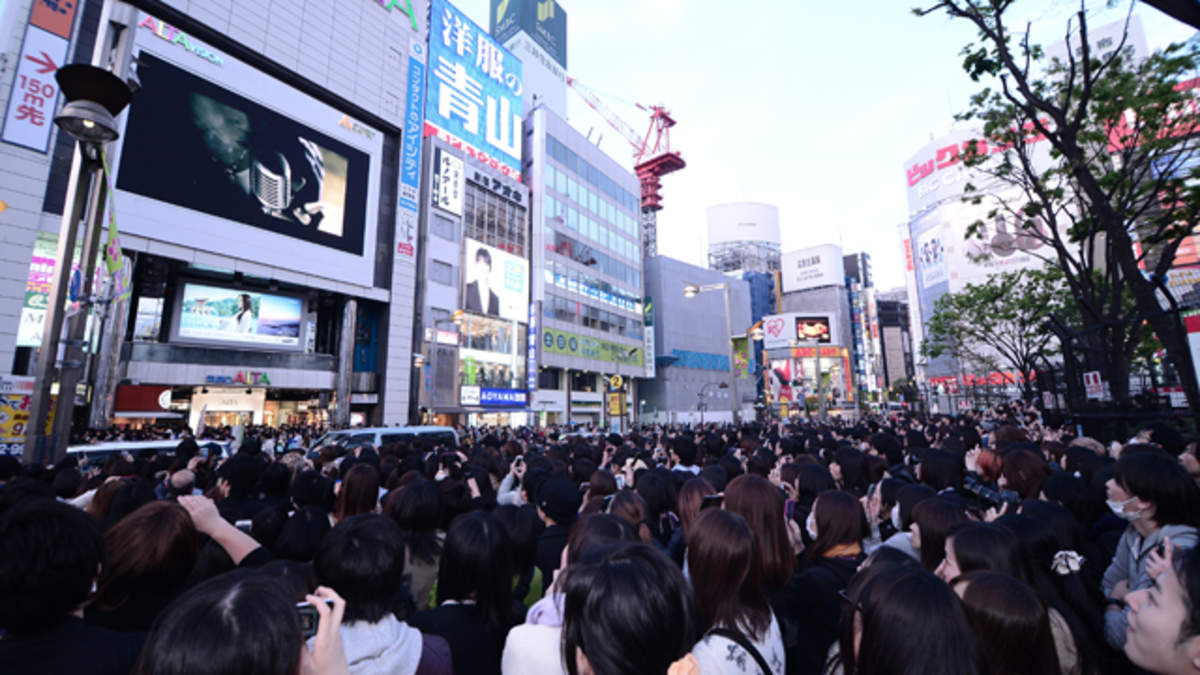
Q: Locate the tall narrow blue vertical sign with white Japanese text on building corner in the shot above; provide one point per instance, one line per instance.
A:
(411, 154)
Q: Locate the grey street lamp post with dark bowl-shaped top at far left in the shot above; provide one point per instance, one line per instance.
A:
(95, 97)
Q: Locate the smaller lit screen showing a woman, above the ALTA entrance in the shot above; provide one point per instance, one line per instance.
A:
(229, 315)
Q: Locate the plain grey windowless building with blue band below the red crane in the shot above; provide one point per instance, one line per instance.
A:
(692, 353)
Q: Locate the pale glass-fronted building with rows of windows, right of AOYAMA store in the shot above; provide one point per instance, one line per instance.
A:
(590, 291)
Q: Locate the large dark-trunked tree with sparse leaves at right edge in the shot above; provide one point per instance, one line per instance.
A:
(1121, 189)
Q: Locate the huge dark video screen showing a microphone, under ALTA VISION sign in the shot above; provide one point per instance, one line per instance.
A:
(195, 145)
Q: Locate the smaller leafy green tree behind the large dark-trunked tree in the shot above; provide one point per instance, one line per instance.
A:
(999, 322)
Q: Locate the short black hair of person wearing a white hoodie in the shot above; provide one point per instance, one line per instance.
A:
(363, 559)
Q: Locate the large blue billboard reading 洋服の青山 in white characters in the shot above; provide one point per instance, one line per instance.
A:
(475, 94)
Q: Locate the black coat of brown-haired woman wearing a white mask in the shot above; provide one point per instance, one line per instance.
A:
(809, 612)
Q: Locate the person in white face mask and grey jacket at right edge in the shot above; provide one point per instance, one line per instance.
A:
(1159, 500)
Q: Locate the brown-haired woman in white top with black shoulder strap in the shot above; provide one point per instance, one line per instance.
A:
(740, 630)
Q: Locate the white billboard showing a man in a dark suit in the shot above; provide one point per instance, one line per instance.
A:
(495, 283)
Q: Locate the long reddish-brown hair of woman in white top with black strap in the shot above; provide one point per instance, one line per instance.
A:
(727, 575)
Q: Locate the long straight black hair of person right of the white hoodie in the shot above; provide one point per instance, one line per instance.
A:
(477, 564)
